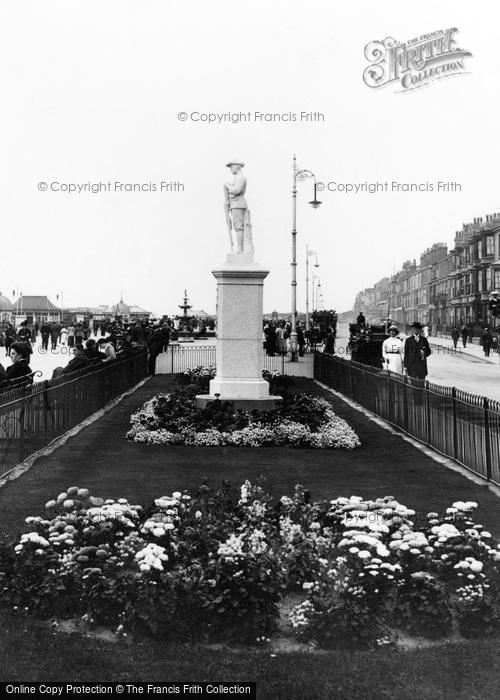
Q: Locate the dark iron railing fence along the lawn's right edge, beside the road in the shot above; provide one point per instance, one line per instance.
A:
(460, 425)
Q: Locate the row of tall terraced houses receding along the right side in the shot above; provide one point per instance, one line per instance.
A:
(447, 288)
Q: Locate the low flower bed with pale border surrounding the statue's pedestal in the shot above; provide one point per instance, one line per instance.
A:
(300, 421)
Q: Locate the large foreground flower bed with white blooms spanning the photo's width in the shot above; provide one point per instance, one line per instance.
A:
(210, 567)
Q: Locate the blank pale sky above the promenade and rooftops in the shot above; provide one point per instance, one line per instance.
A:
(92, 92)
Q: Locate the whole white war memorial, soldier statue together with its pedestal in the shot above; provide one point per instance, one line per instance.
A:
(240, 285)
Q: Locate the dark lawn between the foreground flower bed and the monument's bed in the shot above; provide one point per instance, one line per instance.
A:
(101, 459)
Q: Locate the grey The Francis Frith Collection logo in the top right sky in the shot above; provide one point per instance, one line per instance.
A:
(415, 63)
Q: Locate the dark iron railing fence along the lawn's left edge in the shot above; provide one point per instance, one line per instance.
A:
(31, 417)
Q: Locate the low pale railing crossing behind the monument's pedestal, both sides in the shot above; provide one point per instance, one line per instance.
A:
(178, 358)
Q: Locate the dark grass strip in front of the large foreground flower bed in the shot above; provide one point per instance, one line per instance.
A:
(31, 652)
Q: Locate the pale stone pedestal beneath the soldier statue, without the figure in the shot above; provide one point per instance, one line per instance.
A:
(240, 355)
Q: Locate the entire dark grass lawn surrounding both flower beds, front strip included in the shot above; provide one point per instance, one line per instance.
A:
(99, 458)
